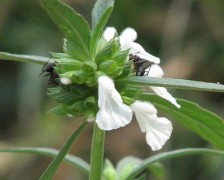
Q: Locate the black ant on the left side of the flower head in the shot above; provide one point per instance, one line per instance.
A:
(48, 70)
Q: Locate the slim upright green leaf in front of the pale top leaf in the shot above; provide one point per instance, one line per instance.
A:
(98, 31)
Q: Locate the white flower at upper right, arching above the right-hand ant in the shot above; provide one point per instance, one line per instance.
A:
(127, 38)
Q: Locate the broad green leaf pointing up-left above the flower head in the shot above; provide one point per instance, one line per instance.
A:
(72, 24)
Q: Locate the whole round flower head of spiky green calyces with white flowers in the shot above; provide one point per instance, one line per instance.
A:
(82, 78)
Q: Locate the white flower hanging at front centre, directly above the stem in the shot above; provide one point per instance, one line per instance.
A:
(113, 112)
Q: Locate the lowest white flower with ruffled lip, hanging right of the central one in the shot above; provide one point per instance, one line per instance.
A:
(157, 129)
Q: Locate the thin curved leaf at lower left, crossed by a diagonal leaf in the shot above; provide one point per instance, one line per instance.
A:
(71, 159)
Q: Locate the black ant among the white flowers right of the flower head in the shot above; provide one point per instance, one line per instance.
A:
(140, 65)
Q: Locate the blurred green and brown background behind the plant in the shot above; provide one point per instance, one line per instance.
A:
(187, 35)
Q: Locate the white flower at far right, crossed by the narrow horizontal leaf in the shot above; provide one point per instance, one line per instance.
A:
(156, 71)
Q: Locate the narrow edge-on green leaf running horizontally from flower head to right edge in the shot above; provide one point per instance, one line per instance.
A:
(174, 83)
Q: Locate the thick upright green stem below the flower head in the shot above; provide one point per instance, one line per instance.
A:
(97, 152)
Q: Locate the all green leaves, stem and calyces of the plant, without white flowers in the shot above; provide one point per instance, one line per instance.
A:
(86, 56)
